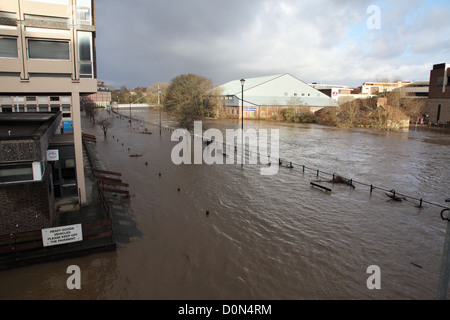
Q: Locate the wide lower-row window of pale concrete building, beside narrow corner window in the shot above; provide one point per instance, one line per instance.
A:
(48, 49)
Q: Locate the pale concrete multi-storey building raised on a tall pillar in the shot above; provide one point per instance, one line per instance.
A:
(48, 62)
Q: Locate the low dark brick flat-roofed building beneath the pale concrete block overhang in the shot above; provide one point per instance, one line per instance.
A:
(27, 189)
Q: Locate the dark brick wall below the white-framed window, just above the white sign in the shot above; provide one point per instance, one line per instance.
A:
(26, 207)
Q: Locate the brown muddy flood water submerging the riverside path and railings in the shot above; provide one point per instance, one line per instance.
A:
(272, 237)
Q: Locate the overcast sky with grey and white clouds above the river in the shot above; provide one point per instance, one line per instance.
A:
(141, 42)
